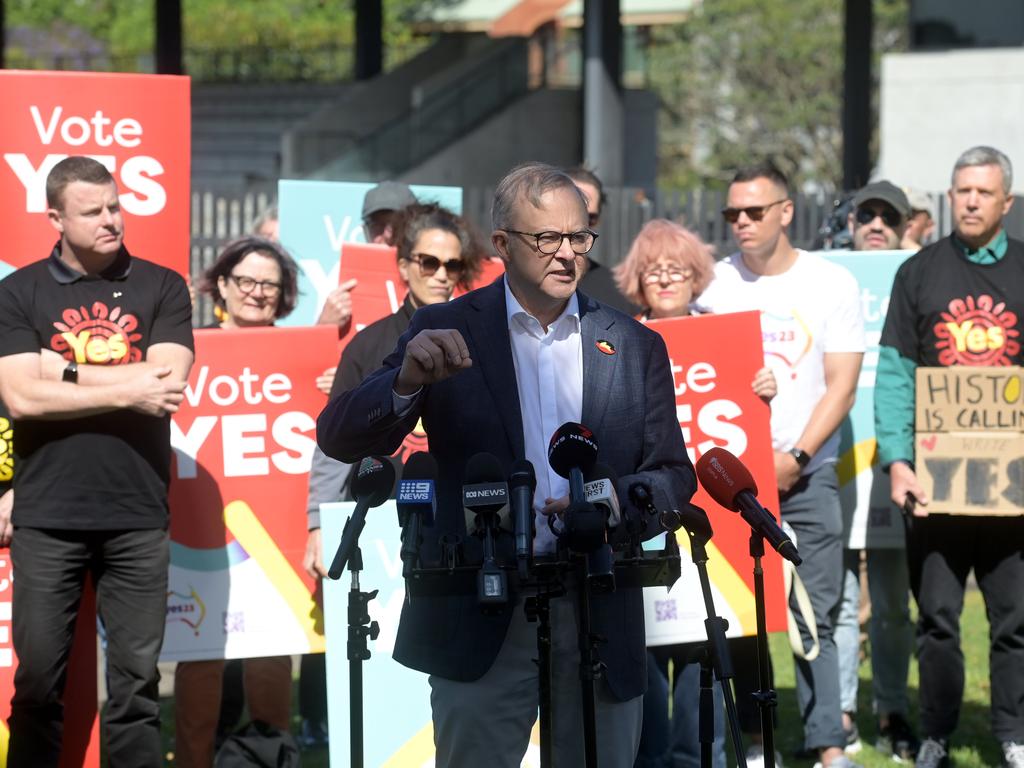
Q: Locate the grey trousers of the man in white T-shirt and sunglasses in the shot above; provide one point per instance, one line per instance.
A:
(813, 509)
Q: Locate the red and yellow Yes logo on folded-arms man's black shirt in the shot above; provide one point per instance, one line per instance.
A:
(98, 335)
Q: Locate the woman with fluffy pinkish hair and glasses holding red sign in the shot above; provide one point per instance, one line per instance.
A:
(667, 269)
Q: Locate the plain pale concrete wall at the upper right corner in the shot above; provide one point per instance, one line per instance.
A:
(934, 106)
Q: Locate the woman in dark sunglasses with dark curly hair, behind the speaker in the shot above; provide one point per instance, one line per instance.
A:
(437, 253)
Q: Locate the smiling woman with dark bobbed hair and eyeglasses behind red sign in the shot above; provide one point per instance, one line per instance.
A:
(254, 283)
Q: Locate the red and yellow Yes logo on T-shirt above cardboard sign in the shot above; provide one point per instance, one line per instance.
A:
(977, 332)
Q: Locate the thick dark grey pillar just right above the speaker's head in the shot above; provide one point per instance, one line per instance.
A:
(603, 100)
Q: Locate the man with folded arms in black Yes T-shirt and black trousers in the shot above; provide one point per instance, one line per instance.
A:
(96, 351)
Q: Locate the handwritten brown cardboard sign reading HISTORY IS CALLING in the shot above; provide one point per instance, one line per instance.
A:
(970, 440)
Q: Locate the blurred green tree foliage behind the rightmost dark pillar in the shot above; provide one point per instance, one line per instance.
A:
(745, 80)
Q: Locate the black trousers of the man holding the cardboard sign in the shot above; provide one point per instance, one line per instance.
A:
(942, 552)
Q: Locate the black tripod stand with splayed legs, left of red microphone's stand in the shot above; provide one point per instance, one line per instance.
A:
(716, 655)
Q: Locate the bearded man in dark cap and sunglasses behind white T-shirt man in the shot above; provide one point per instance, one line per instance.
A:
(878, 224)
